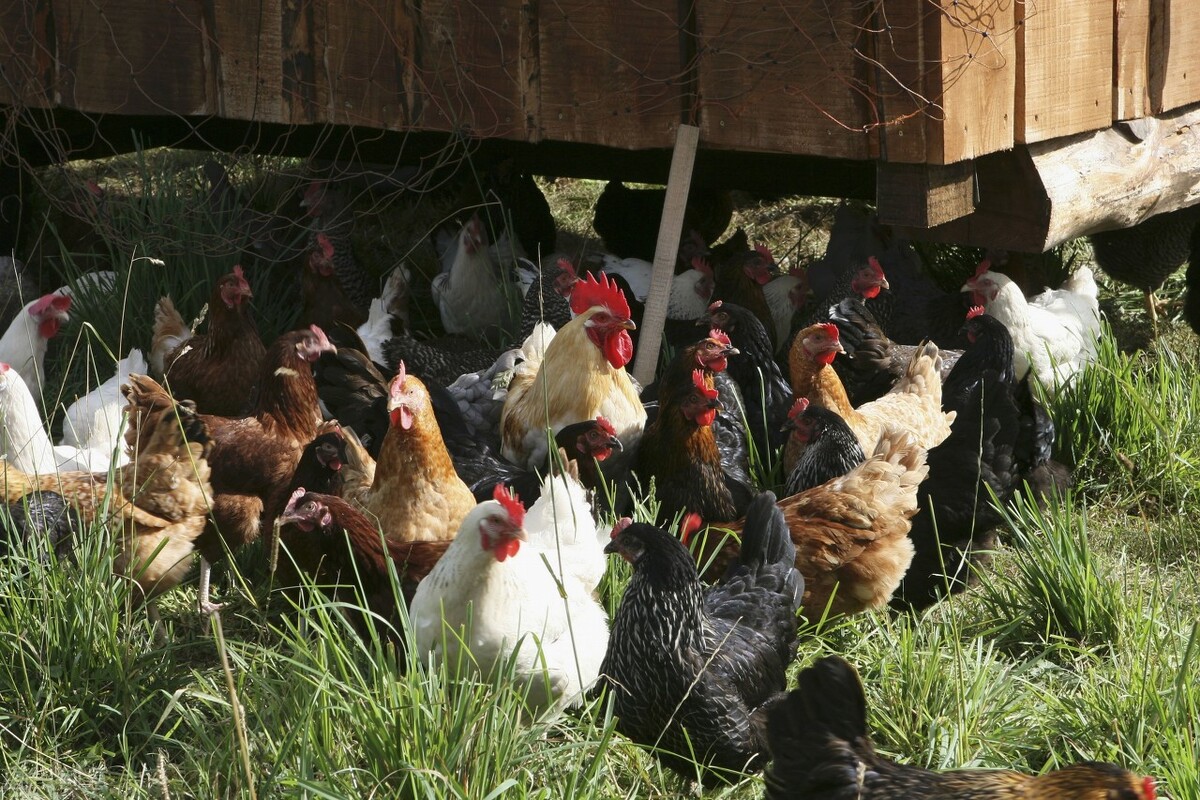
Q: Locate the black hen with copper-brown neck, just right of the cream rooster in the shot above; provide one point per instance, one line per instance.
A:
(680, 454)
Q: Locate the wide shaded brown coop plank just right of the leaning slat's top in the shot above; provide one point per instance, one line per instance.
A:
(784, 76)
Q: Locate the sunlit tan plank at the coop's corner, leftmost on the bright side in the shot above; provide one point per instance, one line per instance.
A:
(979, 77)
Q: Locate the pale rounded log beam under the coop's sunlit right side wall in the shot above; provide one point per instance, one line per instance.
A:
(1039, 196)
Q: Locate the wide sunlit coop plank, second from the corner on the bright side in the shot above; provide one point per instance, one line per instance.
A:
(1065, 68)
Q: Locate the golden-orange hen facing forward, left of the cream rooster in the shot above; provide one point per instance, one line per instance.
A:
(415, 495)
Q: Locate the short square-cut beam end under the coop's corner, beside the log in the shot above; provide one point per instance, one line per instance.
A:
(923, 196)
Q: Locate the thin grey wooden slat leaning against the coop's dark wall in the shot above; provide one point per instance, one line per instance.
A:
(656, 316)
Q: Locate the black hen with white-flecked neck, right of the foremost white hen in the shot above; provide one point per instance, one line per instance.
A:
(694, 670)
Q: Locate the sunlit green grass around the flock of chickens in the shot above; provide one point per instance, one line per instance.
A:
(1081, 642)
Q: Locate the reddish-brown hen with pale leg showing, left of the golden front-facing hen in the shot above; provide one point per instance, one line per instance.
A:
(253, 458)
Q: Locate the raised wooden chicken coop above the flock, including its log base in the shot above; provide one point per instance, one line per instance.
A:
(1003, 123)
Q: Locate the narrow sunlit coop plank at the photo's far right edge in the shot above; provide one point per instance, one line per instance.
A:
(1175, 55)
